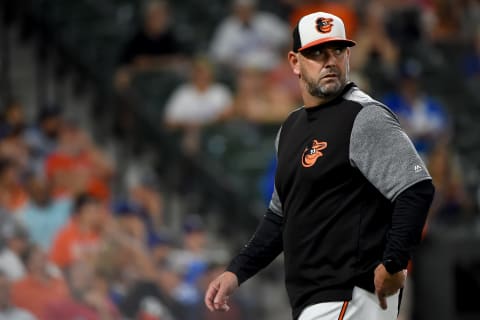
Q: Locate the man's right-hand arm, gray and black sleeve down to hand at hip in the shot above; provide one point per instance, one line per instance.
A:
(384, 154)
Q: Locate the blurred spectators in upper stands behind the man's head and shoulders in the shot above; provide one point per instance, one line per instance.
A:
(243, 74)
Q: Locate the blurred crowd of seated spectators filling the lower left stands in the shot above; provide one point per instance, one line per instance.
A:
(71, 248)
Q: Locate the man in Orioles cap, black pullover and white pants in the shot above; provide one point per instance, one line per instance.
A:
(351, 193)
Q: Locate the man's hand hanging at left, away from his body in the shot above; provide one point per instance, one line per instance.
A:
(219, 291)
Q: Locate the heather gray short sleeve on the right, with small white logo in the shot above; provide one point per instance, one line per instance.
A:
(384, 153)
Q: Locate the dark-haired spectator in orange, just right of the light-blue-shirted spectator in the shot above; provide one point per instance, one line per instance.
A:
(80, 238)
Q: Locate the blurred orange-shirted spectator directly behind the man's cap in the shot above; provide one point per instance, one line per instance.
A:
(343, 10)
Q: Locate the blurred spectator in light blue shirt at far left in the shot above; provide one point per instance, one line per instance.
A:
(44, 215)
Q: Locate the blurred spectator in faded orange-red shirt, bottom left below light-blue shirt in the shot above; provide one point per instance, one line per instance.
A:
(42, 285)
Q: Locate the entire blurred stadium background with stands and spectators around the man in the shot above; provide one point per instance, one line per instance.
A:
(137, 148)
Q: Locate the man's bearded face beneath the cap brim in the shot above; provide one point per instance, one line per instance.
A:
(323, 69)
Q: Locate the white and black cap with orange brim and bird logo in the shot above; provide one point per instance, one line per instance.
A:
(318, 28)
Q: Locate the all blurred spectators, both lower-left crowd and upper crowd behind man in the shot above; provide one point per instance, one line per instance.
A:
(71, 246)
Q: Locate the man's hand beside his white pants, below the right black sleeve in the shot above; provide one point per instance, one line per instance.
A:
(387, 284)
